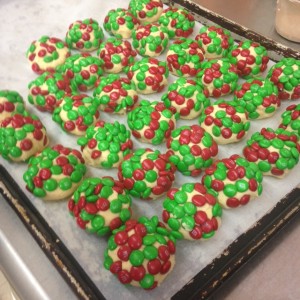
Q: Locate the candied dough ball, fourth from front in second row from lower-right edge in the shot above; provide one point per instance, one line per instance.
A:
(227, 122)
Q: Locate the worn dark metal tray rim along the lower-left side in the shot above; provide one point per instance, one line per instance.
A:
(47, 239)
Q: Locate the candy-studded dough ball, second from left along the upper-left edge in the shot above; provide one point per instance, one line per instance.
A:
(84, 35)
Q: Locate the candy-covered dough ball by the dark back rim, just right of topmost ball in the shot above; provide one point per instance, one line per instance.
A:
(178, 21)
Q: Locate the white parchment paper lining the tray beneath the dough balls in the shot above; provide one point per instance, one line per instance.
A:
(23, 22)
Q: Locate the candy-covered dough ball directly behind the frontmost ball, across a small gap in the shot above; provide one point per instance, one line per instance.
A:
(147, 173)
